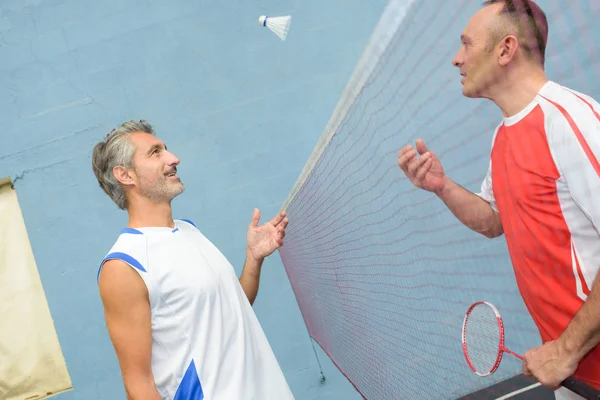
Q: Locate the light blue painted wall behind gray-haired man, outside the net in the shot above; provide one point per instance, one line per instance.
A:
(242, 110)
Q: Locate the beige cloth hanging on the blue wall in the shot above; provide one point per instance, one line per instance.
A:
(31, 360)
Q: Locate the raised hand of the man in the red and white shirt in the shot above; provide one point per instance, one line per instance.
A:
(425, 171)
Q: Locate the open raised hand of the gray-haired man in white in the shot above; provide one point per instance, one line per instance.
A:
(264, 240)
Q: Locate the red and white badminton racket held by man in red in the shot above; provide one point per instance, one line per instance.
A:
(483, 346)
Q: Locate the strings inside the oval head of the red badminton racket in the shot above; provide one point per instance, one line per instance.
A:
(482, 338)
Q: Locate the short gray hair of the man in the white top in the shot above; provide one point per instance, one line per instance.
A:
(116, 150)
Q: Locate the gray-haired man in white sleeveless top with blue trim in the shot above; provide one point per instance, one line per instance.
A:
(180, 320)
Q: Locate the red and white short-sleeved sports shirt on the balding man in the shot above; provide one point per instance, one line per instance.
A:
(544, 180)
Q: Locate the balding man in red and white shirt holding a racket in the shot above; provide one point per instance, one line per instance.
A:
(542, 189)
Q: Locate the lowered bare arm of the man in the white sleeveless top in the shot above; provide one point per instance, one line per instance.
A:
(127, 314)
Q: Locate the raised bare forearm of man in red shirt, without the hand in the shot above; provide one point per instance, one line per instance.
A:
(470, 209)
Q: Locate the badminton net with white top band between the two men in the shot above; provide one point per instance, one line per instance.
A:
(382, 271)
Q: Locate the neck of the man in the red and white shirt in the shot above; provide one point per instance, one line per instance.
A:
(518, 91)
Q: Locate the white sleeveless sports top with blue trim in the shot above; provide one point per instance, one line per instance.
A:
(206, 340)
